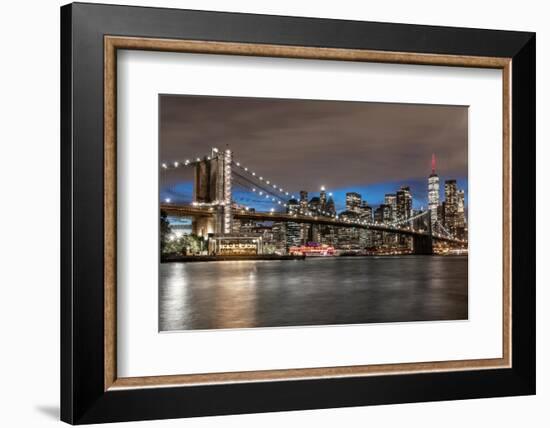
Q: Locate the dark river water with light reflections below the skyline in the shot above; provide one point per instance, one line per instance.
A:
(315, 291)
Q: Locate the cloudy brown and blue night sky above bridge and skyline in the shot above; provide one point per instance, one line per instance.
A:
(369, 148)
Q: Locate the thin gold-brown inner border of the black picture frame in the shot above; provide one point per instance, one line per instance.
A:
(113, 43)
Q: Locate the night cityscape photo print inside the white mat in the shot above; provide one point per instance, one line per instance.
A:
(290, 212)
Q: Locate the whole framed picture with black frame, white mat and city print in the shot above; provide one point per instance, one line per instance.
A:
(266, 213)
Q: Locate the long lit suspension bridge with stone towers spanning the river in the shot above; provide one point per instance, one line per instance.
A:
(213, 210)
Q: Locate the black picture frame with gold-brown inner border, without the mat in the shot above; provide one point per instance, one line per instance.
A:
(90, 389)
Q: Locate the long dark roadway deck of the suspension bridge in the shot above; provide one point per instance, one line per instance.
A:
(190, 211)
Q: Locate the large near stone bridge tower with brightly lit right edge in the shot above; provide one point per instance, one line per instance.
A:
(213, 188)
